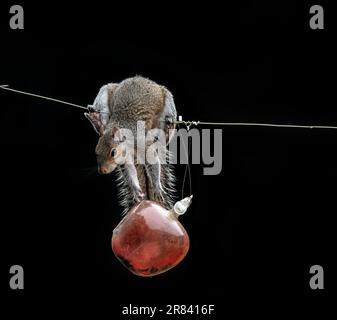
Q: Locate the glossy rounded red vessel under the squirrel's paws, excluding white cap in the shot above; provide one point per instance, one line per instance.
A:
(150, 240)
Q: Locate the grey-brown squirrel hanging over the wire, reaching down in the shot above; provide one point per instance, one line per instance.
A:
(122, 105)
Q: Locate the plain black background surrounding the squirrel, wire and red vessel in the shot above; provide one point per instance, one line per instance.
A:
(255, 229)
